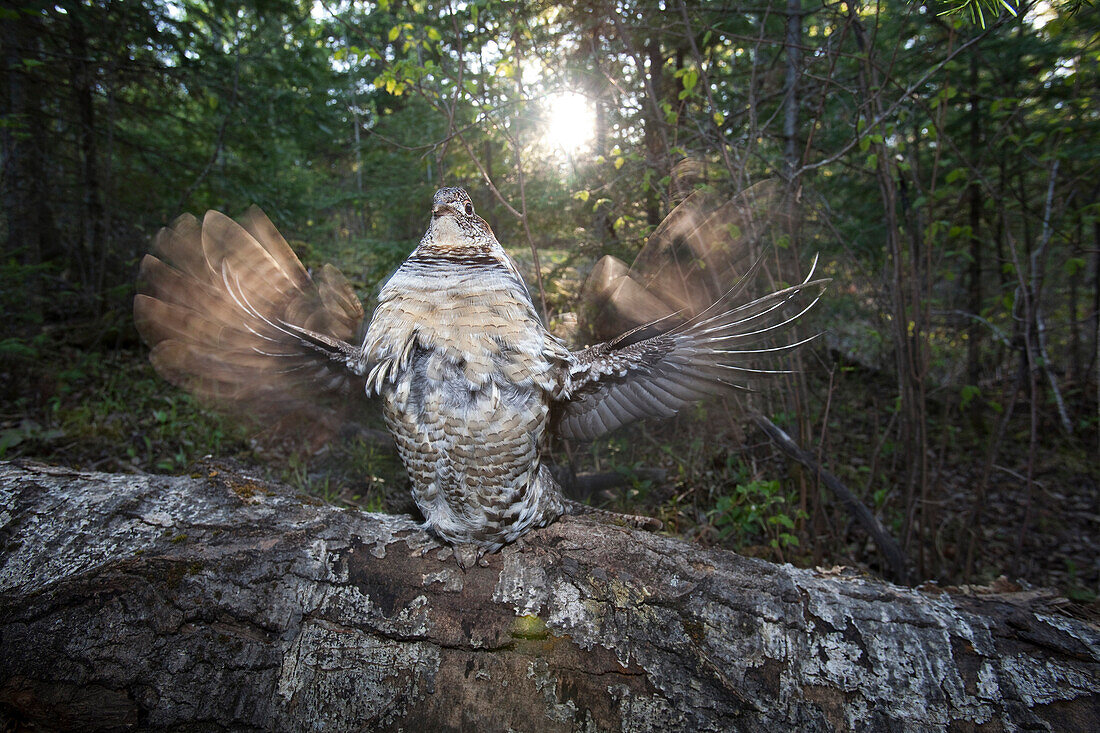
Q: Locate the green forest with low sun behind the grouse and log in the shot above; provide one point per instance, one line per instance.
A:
(947, 168)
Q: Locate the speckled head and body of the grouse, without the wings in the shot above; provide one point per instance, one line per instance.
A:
(467, 374)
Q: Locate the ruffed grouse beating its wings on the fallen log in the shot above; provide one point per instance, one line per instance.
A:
(471, 382)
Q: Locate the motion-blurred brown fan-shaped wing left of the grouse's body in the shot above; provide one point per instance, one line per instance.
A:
(234, 318)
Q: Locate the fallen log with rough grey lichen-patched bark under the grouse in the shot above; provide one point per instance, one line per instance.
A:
(218, 601)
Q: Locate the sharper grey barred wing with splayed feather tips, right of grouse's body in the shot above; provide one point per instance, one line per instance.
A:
(721, 349)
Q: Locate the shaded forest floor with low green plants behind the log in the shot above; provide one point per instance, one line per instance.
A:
(703, 474)
